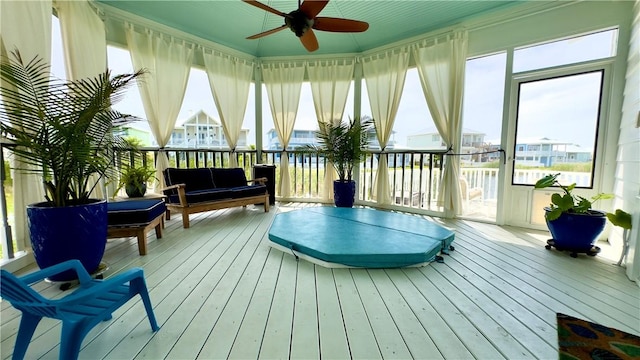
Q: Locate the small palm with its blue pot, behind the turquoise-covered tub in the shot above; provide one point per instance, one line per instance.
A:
(343, 145)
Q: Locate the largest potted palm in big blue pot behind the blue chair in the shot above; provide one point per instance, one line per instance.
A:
(62, 131)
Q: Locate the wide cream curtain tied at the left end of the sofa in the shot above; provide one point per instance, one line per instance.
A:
(168, 62)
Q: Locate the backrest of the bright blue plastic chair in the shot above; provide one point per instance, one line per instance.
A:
(23, 297)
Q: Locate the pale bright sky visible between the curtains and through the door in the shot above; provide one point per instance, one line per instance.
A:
(559, 109)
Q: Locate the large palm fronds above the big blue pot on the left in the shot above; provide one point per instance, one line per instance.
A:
(61, 130)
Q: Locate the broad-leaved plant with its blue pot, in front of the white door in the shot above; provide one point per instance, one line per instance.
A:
(574, 225)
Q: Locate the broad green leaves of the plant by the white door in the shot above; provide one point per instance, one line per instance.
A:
(567, 202)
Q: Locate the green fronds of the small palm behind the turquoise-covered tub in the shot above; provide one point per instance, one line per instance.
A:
(343, 144)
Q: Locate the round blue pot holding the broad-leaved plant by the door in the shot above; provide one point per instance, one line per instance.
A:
(577, 232)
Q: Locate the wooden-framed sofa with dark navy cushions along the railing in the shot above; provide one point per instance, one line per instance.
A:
(196, 190)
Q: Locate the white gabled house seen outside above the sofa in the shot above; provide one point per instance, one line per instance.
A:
(201, 130)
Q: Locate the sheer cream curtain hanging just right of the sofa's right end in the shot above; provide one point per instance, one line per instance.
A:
(283, 82)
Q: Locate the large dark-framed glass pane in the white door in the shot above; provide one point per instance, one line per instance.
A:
(559, 115)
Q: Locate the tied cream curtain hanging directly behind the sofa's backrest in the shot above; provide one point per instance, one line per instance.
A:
(229, 79)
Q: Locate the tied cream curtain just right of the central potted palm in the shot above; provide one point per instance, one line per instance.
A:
(384, 75)
